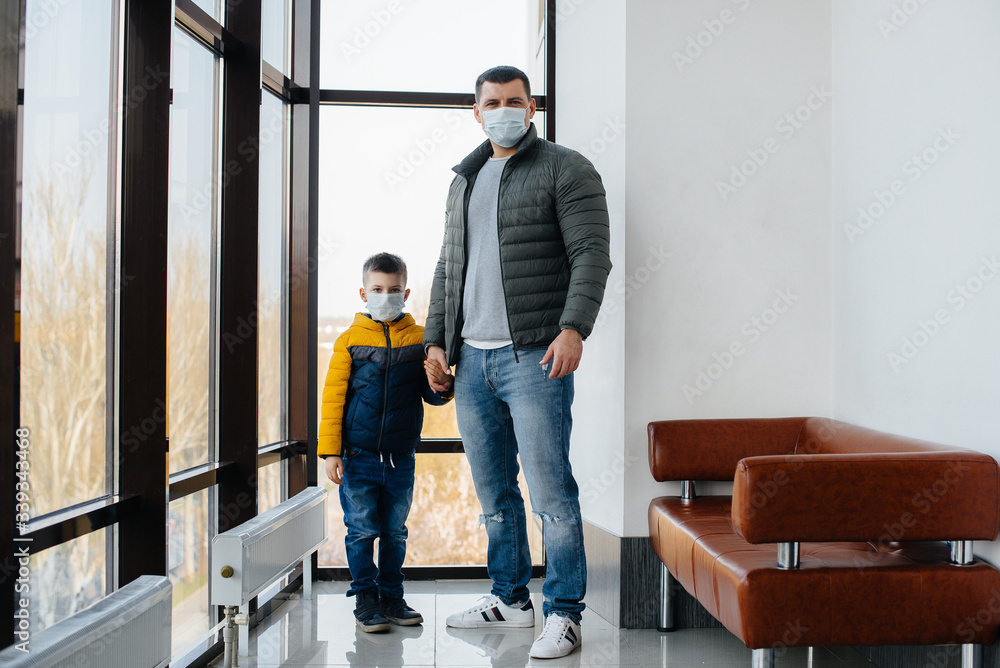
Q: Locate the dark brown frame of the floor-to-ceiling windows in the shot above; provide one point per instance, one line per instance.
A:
(136, 505)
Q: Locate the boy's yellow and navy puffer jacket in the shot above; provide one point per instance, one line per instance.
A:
(375, 388)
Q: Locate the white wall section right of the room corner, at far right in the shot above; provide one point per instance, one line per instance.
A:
(907, 84)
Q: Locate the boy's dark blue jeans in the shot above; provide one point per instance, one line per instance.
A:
(375, 498)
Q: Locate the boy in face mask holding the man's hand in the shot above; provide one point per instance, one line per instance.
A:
(371, 420)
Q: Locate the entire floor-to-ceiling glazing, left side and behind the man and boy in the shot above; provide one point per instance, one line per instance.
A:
(165, 266)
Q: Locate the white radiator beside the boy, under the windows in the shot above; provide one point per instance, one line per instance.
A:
(247, 559)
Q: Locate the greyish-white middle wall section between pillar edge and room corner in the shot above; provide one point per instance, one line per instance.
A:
(762, 252)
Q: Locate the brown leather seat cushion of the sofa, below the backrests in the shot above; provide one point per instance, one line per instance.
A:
(842, 594)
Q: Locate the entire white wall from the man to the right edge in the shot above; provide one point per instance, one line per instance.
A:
(893, 319)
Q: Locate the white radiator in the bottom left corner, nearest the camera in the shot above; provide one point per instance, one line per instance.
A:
(129, 628)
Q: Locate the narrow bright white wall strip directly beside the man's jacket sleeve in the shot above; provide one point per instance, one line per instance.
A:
(590, 94)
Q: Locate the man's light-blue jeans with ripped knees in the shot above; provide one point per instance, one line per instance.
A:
(508, 406)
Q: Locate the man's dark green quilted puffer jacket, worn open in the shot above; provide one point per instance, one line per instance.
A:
(554, 246)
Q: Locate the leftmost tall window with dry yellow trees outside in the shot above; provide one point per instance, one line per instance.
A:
(64, 307)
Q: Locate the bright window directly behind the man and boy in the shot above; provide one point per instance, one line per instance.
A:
(385, 172)
